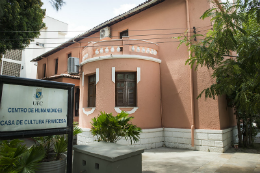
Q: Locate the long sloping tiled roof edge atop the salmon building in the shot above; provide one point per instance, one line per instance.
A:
(147, 4)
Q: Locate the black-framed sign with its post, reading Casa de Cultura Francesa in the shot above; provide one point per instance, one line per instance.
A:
(30, 108)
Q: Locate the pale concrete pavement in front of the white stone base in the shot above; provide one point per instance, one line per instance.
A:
(168, 160)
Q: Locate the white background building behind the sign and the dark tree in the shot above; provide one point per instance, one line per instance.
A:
(17, 62)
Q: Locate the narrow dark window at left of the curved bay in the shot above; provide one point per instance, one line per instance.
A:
(92, 91)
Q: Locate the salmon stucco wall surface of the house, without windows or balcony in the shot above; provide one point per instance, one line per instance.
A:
(157, 24)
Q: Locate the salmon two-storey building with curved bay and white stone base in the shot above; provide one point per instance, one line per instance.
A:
(131, 63)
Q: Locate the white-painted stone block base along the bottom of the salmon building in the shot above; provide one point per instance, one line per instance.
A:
(205, 140)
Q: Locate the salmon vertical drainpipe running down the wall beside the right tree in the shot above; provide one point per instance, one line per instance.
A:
(191, 79)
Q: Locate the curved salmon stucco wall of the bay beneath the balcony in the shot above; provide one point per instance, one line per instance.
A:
(148, 91)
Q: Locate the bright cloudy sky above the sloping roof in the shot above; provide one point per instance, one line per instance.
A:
(82, 15)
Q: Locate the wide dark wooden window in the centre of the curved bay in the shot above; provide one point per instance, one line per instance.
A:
(126, 89)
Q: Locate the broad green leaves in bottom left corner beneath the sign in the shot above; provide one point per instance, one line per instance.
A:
(16, 158)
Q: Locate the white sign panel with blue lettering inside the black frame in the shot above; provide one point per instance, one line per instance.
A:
(29, 108)
